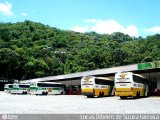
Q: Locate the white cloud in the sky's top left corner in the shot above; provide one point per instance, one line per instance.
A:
(5, 8)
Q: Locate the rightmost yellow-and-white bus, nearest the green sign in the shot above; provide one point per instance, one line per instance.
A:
(128, 84)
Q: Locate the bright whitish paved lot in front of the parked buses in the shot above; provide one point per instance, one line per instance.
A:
(26, 104)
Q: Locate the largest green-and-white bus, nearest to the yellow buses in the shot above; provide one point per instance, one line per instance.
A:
(47, 88)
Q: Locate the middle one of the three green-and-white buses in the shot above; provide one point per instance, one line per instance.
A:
(20, 88)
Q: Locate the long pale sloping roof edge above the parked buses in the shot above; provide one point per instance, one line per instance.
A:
(86, 73)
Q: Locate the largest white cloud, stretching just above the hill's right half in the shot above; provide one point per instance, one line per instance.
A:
(108, 27)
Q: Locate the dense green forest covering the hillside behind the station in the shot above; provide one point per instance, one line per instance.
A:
(31, 50)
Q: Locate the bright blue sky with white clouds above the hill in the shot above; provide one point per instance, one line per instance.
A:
(133, 17)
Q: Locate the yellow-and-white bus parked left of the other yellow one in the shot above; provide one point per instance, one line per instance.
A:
(96, 86)
